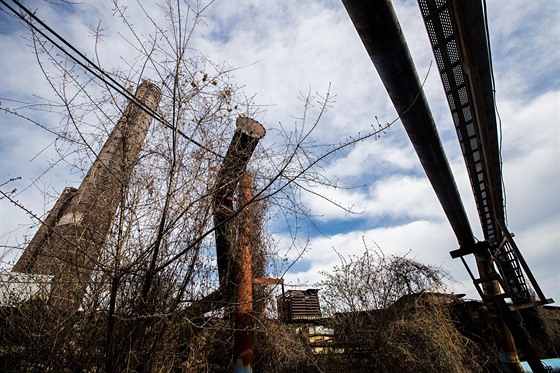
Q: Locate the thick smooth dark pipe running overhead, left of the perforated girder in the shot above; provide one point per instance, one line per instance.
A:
(378, 27)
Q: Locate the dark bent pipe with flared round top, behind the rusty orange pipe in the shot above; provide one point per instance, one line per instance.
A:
(243, 144)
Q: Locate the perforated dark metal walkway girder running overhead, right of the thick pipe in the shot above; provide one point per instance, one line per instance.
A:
(457, 31)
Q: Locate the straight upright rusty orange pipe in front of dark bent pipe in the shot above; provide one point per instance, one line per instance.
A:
(243, 335)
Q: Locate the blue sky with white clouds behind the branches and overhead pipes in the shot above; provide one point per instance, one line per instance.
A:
(288, 48)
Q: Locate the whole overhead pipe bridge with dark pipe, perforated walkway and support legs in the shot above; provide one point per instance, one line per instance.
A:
(459, 38)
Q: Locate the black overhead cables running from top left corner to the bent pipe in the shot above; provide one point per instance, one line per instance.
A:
(102, 75)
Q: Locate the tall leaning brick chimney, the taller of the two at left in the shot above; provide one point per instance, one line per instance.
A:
(74, 243)
